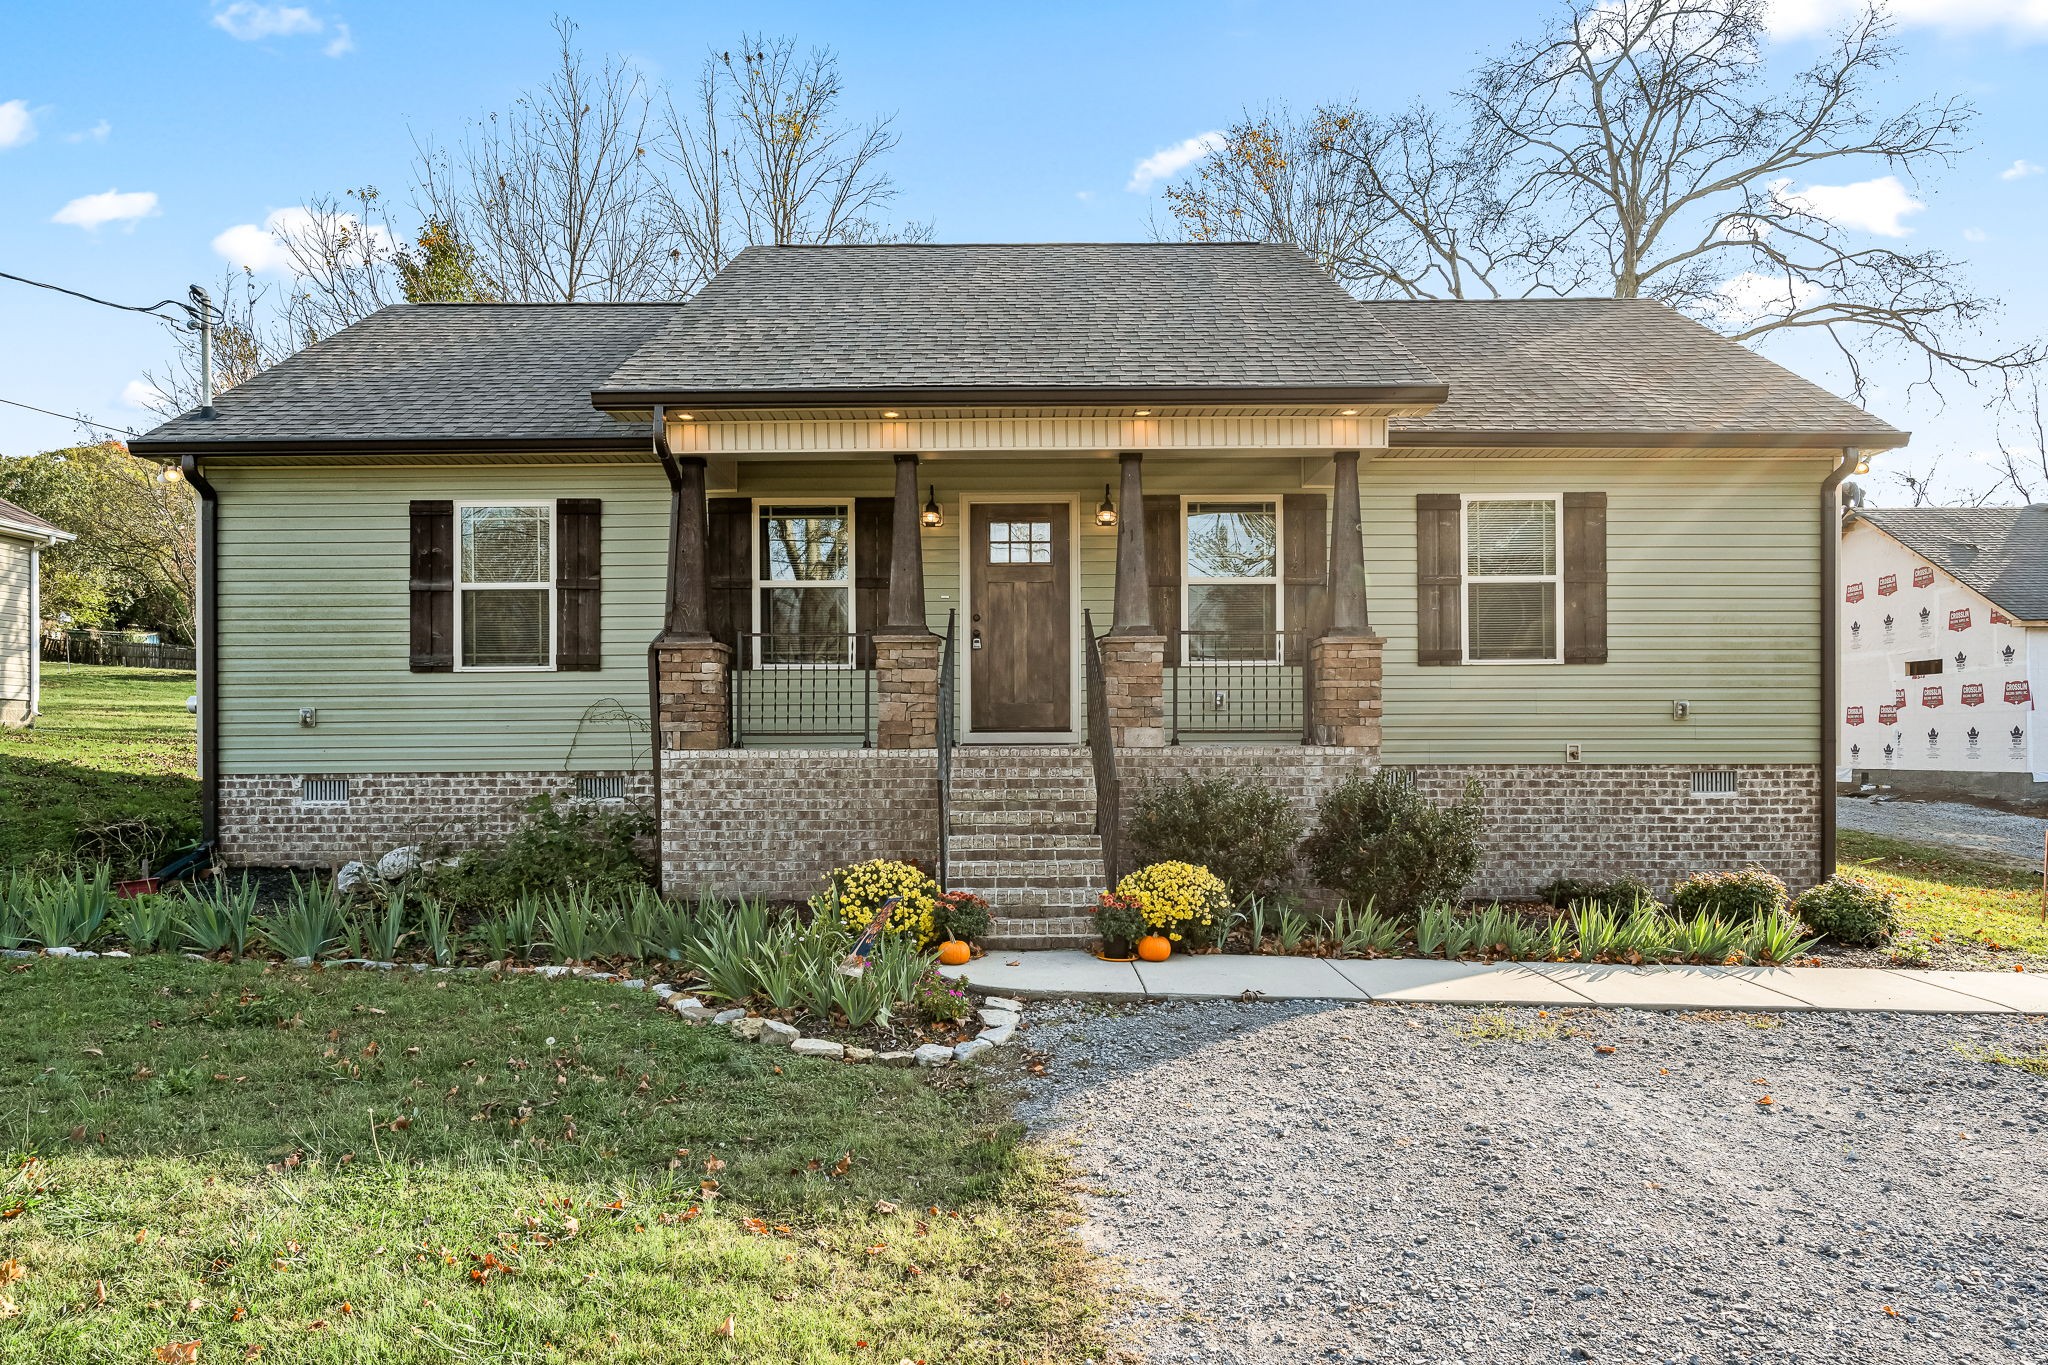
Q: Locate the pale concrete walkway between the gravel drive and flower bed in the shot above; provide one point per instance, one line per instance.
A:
(1512, 983)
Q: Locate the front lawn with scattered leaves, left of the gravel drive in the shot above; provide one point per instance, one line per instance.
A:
(337, 1168)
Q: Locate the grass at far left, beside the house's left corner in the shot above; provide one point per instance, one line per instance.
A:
(108, 773)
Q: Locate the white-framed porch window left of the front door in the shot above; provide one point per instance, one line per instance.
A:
(806, 586)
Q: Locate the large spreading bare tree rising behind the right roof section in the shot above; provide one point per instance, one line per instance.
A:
(1641, 148)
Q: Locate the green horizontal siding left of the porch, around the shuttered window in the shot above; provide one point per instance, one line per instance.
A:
(314, 611)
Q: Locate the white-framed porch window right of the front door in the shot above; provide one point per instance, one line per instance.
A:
(1232, 582)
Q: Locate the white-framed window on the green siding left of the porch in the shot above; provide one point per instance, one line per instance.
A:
(505, 599)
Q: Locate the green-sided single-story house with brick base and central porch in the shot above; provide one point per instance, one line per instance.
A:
(1572, 549)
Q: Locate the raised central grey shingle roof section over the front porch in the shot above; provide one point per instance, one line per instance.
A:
(992, 320)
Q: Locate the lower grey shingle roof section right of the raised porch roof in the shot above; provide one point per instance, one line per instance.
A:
(1607, 369)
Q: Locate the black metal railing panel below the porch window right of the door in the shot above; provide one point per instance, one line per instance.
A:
(1238, 685)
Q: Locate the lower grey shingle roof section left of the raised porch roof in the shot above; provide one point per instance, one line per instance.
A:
(452, 373)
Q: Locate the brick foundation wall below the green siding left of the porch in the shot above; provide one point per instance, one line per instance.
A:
(267, 826)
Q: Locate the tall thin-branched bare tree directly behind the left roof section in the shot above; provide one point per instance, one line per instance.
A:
(554, 195)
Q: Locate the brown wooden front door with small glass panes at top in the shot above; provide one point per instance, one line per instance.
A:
(1021, 629)
